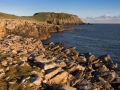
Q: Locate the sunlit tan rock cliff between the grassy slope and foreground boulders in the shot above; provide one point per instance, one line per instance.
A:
(27, 28)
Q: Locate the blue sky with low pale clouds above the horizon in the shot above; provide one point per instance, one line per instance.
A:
(90, 11)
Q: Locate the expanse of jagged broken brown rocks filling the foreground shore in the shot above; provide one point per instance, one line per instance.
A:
(27, 64)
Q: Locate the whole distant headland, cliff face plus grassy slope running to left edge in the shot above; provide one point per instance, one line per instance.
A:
(49, 17)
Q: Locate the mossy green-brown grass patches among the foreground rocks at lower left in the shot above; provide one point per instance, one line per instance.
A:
(15, 73)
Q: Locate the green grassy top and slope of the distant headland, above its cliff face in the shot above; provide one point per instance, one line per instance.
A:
(41, 16)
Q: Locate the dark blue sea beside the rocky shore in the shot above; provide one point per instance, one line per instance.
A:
(99, 39)
